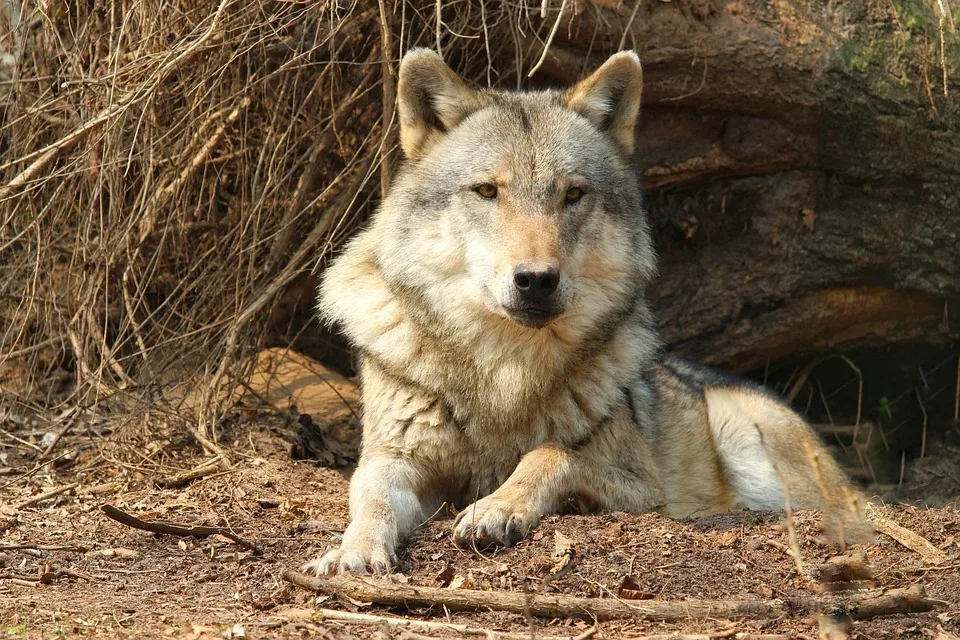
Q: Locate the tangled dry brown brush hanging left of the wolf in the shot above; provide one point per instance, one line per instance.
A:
(173, 174)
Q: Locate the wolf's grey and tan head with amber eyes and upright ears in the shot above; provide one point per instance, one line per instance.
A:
(521, 207)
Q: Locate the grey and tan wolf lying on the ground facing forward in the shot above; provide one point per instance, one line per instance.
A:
(509, 360)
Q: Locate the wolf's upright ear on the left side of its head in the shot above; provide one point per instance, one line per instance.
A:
(431, 99)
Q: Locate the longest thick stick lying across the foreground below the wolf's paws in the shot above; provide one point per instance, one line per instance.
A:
(912, 599)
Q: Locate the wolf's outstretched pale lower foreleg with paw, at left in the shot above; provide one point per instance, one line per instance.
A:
(384, 507)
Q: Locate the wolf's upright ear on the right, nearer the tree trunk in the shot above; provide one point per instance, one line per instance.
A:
(610, 97)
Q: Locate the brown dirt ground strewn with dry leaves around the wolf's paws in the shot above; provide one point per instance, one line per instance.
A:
(163, 586)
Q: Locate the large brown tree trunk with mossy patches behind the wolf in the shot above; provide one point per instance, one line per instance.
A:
(802, 166)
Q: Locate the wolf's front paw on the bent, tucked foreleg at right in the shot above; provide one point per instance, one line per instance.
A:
(493, 522)
